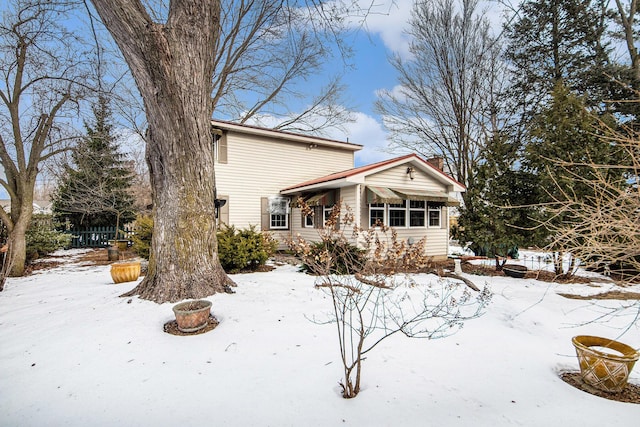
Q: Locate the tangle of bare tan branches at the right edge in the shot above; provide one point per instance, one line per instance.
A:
(601, 229)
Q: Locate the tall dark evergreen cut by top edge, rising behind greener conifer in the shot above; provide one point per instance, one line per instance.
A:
(557, 41)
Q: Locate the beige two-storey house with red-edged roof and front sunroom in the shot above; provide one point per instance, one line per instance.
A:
(261, 173)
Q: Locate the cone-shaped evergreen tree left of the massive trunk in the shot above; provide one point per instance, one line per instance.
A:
(95, 188)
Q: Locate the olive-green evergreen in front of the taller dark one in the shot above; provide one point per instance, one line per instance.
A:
(566, 141)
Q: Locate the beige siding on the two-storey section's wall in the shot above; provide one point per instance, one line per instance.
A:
(259, 167)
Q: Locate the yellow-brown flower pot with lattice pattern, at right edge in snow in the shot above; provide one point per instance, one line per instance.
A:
(605, 370)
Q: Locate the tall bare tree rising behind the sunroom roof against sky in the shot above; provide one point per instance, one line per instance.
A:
(447, 100)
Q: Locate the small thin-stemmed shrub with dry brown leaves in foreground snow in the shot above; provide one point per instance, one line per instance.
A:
(373, 296)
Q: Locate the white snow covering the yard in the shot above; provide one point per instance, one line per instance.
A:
(72, 352)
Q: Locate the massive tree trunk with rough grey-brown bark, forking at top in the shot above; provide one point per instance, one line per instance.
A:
(173, 68)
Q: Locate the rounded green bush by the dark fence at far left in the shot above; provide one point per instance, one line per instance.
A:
(42, 238)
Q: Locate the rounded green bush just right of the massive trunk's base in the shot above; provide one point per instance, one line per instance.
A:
(245, 249)
